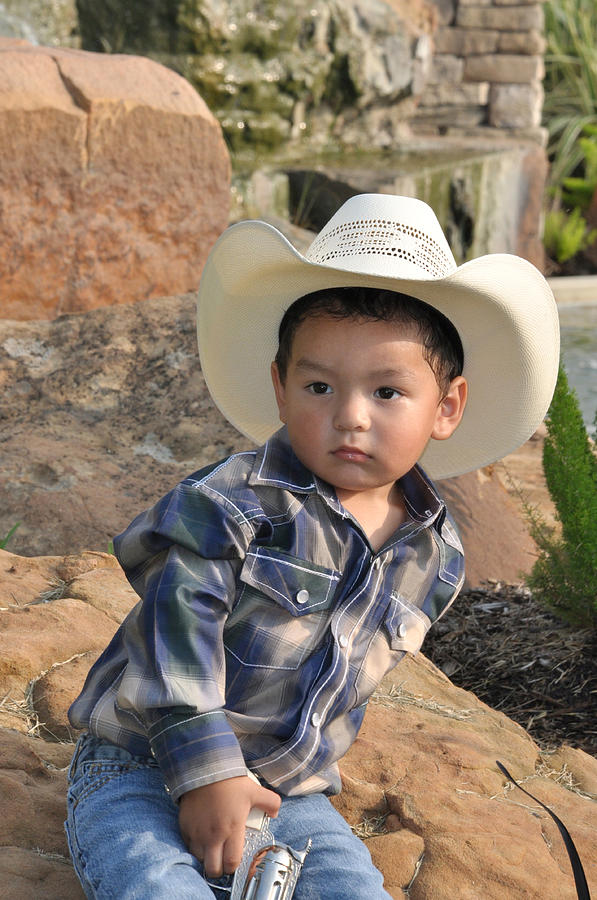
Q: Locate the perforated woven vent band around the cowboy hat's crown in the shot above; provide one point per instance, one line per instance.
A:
(382, 237)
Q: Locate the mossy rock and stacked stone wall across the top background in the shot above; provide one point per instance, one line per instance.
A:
(439, 66)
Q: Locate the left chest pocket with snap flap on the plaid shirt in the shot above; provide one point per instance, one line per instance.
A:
(281, 612)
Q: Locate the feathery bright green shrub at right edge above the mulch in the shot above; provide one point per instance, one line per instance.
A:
(565, 574)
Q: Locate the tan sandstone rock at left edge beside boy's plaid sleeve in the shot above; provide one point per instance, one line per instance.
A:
(56, 615)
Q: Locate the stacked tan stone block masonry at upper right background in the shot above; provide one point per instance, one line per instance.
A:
(486, 70)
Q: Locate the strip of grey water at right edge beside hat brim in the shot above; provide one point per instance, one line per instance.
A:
(579, 354)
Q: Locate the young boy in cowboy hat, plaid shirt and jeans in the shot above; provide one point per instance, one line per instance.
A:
(278, 586)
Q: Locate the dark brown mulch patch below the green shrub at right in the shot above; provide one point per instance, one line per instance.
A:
(519, 658)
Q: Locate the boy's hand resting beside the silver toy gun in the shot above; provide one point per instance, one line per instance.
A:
(212, 820)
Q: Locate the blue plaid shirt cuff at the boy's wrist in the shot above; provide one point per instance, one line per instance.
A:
(194, 749)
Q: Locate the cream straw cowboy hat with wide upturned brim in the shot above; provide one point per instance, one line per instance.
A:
(500, 304)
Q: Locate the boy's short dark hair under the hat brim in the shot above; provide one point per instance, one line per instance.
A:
(442, 347)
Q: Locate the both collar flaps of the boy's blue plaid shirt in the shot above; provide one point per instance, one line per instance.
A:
(277, 465)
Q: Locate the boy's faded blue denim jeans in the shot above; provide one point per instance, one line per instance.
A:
(122, 829)
